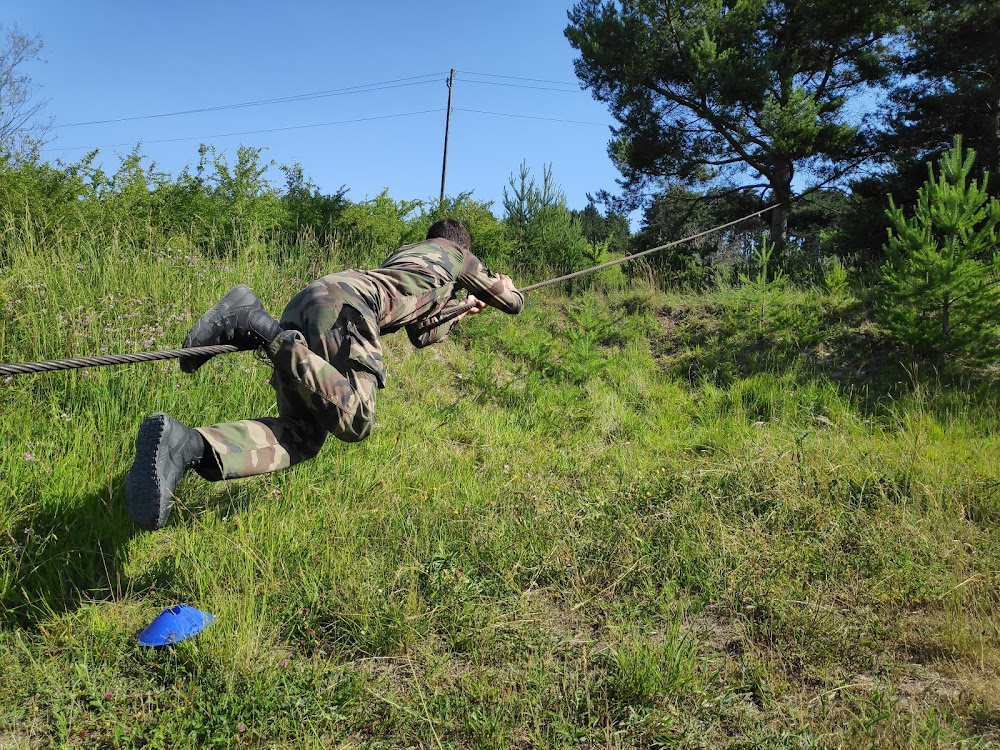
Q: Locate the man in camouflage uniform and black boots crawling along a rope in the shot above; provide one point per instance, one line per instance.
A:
(327, 357)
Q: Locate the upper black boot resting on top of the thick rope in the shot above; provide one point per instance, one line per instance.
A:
(238, 319)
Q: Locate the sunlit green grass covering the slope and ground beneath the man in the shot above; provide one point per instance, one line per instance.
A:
(621, 519)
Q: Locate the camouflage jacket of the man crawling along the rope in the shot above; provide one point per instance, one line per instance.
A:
(415, 287)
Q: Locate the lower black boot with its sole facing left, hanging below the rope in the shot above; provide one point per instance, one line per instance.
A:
(164, 450)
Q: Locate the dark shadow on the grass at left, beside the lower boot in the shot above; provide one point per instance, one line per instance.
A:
(67, 552)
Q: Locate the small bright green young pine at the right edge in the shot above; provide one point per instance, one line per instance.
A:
(944, 265)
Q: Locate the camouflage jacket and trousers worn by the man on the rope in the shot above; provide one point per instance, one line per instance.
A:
(328, 361)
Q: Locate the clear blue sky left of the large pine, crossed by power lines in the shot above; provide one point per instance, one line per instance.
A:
(109, 60)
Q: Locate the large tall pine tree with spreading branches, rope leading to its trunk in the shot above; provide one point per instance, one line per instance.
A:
(733, 92)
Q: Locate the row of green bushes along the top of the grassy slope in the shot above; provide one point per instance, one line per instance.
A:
(224, 204)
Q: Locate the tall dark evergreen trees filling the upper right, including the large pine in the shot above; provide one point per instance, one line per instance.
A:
(823, 108)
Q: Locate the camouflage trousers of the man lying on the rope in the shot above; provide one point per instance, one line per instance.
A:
(320, 391)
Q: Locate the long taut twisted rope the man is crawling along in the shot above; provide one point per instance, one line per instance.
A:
(25, 368)
